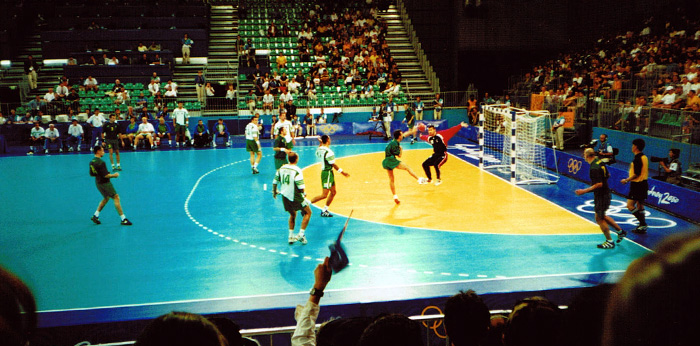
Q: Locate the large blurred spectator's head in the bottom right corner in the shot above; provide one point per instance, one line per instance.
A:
(655, 302)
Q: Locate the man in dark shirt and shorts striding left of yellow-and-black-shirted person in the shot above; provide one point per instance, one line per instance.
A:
(599, 175)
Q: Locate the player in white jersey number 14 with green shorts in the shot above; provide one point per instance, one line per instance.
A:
(291, 182)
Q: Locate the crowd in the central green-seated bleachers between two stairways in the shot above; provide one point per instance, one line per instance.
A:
(322, 52)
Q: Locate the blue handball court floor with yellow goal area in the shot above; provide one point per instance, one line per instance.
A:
(209, 238)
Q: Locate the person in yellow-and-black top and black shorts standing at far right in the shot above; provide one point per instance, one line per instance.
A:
(639, 186)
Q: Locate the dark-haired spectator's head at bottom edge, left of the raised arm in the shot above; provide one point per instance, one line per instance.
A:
(181, 329)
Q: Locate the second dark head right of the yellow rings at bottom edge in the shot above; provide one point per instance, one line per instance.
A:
(534, 321)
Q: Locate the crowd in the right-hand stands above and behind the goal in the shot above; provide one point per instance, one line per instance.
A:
(654, 67)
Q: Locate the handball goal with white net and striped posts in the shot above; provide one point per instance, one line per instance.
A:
(513, 141)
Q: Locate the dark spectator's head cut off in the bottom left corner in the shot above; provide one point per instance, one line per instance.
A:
(18, 318)
